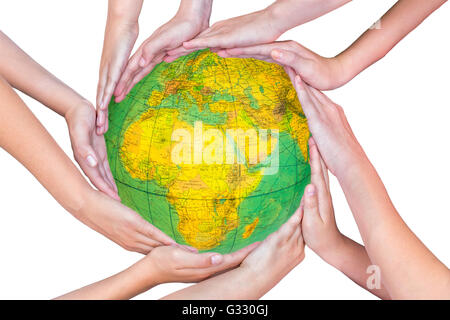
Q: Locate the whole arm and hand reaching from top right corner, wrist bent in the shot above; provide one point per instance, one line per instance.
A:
(330, 73)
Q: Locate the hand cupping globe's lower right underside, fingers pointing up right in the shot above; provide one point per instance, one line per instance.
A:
(279, 253)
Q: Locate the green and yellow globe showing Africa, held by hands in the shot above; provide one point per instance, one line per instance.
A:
(212, 151)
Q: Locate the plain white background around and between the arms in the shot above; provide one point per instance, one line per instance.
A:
(399, 109)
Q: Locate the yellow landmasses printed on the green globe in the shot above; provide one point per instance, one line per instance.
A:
(207, 197)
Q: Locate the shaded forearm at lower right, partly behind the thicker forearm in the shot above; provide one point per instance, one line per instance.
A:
(351, 258)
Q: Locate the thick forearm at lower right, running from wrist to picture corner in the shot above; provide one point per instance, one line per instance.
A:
(390, 244)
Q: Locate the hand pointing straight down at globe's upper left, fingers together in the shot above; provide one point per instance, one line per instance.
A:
(120, 37)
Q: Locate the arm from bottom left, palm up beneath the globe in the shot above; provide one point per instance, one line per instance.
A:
(161, 265)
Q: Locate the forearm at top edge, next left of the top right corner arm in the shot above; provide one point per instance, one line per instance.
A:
(288, 14)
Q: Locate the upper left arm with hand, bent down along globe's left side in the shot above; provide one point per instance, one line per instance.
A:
(26, 75)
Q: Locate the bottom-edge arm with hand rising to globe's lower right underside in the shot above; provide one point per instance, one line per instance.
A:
(270, 262)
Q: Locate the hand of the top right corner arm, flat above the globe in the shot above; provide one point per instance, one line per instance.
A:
(317, 71)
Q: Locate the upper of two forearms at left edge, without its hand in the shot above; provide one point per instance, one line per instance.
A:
(26, 75)
